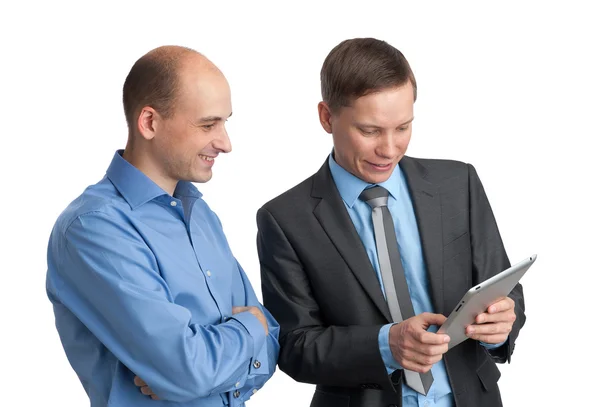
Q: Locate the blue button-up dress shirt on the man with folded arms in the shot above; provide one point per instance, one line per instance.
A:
(143, 283)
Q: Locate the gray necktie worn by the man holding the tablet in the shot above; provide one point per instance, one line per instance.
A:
(392, 273)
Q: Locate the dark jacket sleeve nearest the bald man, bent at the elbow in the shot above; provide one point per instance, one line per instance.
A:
(312, 351)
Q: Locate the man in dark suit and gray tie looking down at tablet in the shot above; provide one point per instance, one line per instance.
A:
(326, 272)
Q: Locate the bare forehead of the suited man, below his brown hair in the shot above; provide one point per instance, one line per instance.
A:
(385, 107)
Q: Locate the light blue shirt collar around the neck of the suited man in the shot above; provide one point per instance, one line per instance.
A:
(350, 186)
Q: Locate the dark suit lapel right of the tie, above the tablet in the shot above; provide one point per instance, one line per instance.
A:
(428, 211)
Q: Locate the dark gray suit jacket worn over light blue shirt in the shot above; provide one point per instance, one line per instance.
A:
(319, 284)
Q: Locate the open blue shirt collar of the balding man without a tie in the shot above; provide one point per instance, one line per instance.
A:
(135, 186)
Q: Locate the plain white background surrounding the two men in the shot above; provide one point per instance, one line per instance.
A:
(513, 89)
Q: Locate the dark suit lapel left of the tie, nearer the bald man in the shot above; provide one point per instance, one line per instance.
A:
(333, 217)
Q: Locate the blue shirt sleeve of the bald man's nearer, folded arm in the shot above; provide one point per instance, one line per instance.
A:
(108, 277)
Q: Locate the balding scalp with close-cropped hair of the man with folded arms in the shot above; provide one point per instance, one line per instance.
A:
(155, 80)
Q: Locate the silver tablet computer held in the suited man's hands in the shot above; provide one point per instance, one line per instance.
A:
(479, 298)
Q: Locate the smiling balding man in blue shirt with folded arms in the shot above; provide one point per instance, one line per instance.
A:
(151, 306)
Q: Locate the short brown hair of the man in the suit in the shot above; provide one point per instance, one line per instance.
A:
(359, 66)
